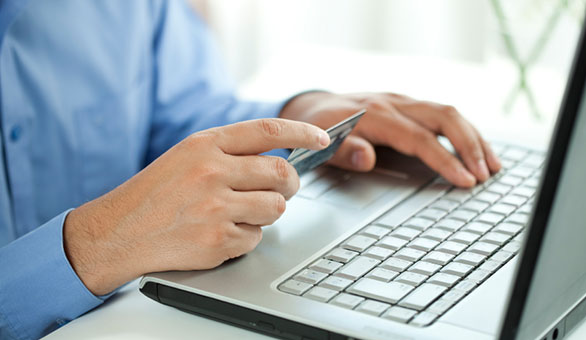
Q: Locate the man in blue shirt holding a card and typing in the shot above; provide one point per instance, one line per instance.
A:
(101, 104)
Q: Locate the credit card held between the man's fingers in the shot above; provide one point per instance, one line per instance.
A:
(305, 160)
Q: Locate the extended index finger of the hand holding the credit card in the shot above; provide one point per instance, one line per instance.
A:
(260, 135)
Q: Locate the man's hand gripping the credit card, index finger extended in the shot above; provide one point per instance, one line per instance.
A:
(199, 204)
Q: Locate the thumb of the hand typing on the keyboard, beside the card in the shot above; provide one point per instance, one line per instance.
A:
(355, 154)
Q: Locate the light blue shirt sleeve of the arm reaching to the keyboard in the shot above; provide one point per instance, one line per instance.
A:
(193, 91)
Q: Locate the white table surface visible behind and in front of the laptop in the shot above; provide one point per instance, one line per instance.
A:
(474, 89)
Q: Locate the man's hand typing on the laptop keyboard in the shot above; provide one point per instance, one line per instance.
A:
(407, 125)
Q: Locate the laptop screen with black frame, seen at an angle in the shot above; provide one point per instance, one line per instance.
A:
(551, 277)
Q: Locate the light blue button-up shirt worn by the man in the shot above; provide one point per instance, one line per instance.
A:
(90, 93)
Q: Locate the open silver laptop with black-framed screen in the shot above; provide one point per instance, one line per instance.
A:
(398, 253)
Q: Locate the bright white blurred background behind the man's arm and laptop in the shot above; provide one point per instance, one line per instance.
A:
(497, 61)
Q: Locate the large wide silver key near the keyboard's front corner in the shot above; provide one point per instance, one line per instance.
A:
(390, 292)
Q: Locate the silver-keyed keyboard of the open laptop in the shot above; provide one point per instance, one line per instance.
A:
(415, 271)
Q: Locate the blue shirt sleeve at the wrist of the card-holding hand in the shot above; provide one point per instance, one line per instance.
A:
(39, 290)
